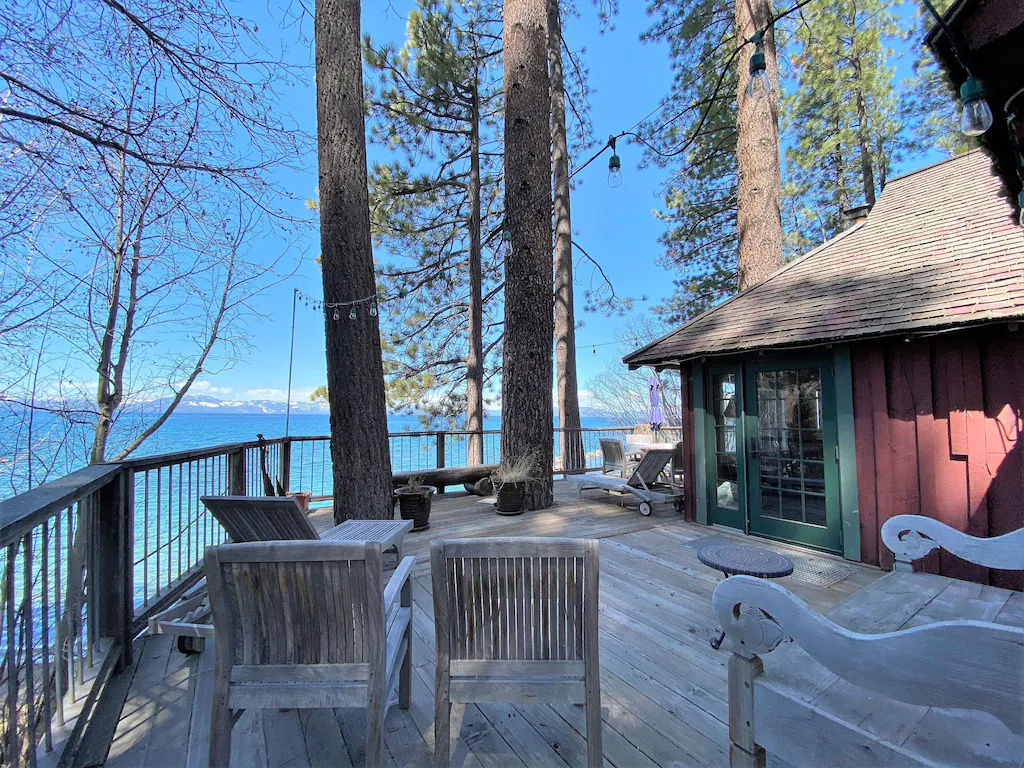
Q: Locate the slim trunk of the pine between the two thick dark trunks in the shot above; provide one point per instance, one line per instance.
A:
(475, 362)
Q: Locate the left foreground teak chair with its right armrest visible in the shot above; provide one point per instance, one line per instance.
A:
(308, 625)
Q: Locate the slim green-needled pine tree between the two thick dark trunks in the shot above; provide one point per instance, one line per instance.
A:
(437, 208)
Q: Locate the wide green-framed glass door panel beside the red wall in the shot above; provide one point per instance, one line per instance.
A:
(791, 464)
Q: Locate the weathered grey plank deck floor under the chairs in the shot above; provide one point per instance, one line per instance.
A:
(664, 689)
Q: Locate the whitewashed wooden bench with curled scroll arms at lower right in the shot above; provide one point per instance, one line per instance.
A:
(916, 669)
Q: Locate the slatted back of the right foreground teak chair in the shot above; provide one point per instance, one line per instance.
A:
(516, 600)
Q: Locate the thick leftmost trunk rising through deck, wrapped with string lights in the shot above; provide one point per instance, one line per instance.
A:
(355, 372)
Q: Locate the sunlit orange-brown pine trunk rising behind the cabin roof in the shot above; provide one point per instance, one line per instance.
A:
(759, 218)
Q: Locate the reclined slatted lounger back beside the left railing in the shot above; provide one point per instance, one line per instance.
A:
(261, 519)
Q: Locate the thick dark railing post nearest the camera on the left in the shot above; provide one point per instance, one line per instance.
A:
(115, 562)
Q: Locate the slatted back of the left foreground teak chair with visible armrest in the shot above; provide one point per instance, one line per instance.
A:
(297, 603)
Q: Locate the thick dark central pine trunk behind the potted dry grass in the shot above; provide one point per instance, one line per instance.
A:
(527, 380)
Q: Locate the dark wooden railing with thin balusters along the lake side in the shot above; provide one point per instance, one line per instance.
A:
(87, 560)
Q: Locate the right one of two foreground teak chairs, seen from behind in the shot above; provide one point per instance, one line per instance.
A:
(517, 621)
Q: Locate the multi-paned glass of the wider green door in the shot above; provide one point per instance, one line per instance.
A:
(791, 440)
